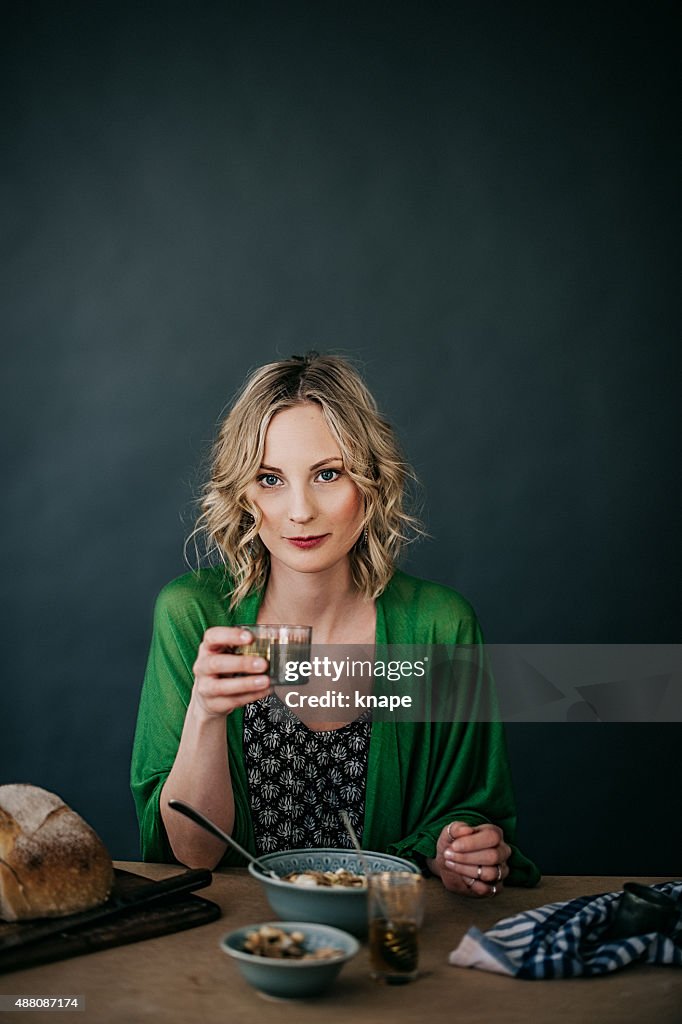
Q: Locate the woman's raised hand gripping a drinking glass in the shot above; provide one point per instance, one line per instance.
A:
(225, 681)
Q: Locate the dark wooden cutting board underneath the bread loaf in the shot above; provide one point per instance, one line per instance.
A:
(174, 915)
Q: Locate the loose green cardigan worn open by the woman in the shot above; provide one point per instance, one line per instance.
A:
(421, 776)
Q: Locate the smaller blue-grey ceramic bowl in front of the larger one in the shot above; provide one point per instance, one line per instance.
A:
(292, 979)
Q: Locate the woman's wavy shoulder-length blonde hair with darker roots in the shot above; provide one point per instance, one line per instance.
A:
(230, 523)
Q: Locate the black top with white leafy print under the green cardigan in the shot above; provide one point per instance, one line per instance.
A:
(300, 780)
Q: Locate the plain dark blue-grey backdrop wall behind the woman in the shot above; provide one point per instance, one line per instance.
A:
(477, 201)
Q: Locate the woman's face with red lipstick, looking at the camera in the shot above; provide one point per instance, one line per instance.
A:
(312, 510)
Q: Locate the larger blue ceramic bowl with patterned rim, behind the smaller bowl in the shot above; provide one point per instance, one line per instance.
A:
(346, 909)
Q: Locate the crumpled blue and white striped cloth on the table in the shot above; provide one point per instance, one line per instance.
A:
(565, 941)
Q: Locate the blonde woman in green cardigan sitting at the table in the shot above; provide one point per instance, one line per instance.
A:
(306, 507)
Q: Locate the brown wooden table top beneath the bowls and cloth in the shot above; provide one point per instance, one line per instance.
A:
(185, 978)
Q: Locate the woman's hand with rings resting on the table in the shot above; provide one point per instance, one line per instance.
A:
(472, 860)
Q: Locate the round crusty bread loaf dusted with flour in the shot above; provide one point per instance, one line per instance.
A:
(52, 862)
